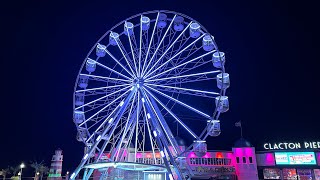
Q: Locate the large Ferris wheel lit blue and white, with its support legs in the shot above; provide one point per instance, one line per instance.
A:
(146, 73)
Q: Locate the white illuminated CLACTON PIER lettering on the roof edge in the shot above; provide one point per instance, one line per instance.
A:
(292, 145)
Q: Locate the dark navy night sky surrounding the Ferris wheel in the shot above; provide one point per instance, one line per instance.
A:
(272, 52)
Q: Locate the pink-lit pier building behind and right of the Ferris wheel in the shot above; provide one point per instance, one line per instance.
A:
(243, 162)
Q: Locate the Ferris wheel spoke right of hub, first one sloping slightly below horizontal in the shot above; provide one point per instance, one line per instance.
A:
(181, 90)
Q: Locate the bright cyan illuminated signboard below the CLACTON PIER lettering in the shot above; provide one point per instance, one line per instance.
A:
(298, 158)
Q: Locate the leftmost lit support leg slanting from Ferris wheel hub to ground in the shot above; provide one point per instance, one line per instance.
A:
(91, 151)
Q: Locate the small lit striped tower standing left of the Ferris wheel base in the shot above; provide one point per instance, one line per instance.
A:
(56, 166)
